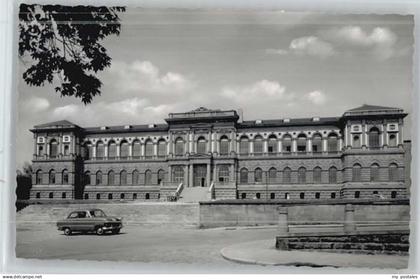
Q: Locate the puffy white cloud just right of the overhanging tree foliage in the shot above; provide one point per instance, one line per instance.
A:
(145, 77)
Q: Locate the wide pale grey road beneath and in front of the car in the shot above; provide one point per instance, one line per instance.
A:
(136, 243)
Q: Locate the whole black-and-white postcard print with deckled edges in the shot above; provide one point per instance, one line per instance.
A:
(223, 138)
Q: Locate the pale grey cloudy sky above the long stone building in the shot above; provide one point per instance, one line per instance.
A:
(269, 64)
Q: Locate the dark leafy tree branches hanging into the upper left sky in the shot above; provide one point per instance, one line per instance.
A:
(64, 45)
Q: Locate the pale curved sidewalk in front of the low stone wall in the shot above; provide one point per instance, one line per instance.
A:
(263, 252)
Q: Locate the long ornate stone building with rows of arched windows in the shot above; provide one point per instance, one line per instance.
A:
(359, 155)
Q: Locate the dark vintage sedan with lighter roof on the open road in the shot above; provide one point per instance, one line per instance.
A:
(90, 220)
